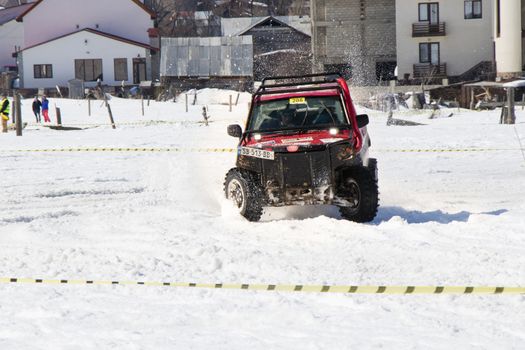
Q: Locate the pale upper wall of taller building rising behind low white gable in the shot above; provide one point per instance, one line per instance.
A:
(54, 18)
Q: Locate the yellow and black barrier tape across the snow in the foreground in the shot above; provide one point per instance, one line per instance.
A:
(422, 290)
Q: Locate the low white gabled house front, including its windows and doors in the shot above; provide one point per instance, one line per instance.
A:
(88, 55)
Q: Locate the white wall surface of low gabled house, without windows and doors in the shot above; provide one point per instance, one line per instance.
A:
(75, 47)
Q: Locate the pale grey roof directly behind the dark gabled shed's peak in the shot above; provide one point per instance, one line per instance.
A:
(239, 26)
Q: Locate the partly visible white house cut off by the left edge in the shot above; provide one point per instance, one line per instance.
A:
(11, 35)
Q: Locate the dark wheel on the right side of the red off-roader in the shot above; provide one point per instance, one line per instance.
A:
(362, 193)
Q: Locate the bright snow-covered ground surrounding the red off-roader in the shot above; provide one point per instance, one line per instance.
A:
(446, 218)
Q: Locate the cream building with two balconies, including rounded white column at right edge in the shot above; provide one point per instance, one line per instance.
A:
(451, 38)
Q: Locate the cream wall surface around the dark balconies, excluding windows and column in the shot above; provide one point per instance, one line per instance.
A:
(467, 41)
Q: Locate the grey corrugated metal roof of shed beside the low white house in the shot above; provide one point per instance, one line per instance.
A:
(207, 57)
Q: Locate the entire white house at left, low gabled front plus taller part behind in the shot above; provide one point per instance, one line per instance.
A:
(87, 40)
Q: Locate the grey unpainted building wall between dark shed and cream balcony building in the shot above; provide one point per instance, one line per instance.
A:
(358, 33)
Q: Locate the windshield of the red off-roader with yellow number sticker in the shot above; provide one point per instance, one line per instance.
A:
(298, 112)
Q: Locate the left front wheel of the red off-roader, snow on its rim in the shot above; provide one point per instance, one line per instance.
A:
(242, 189)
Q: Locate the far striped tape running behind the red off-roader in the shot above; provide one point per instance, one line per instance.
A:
(230, 150)
